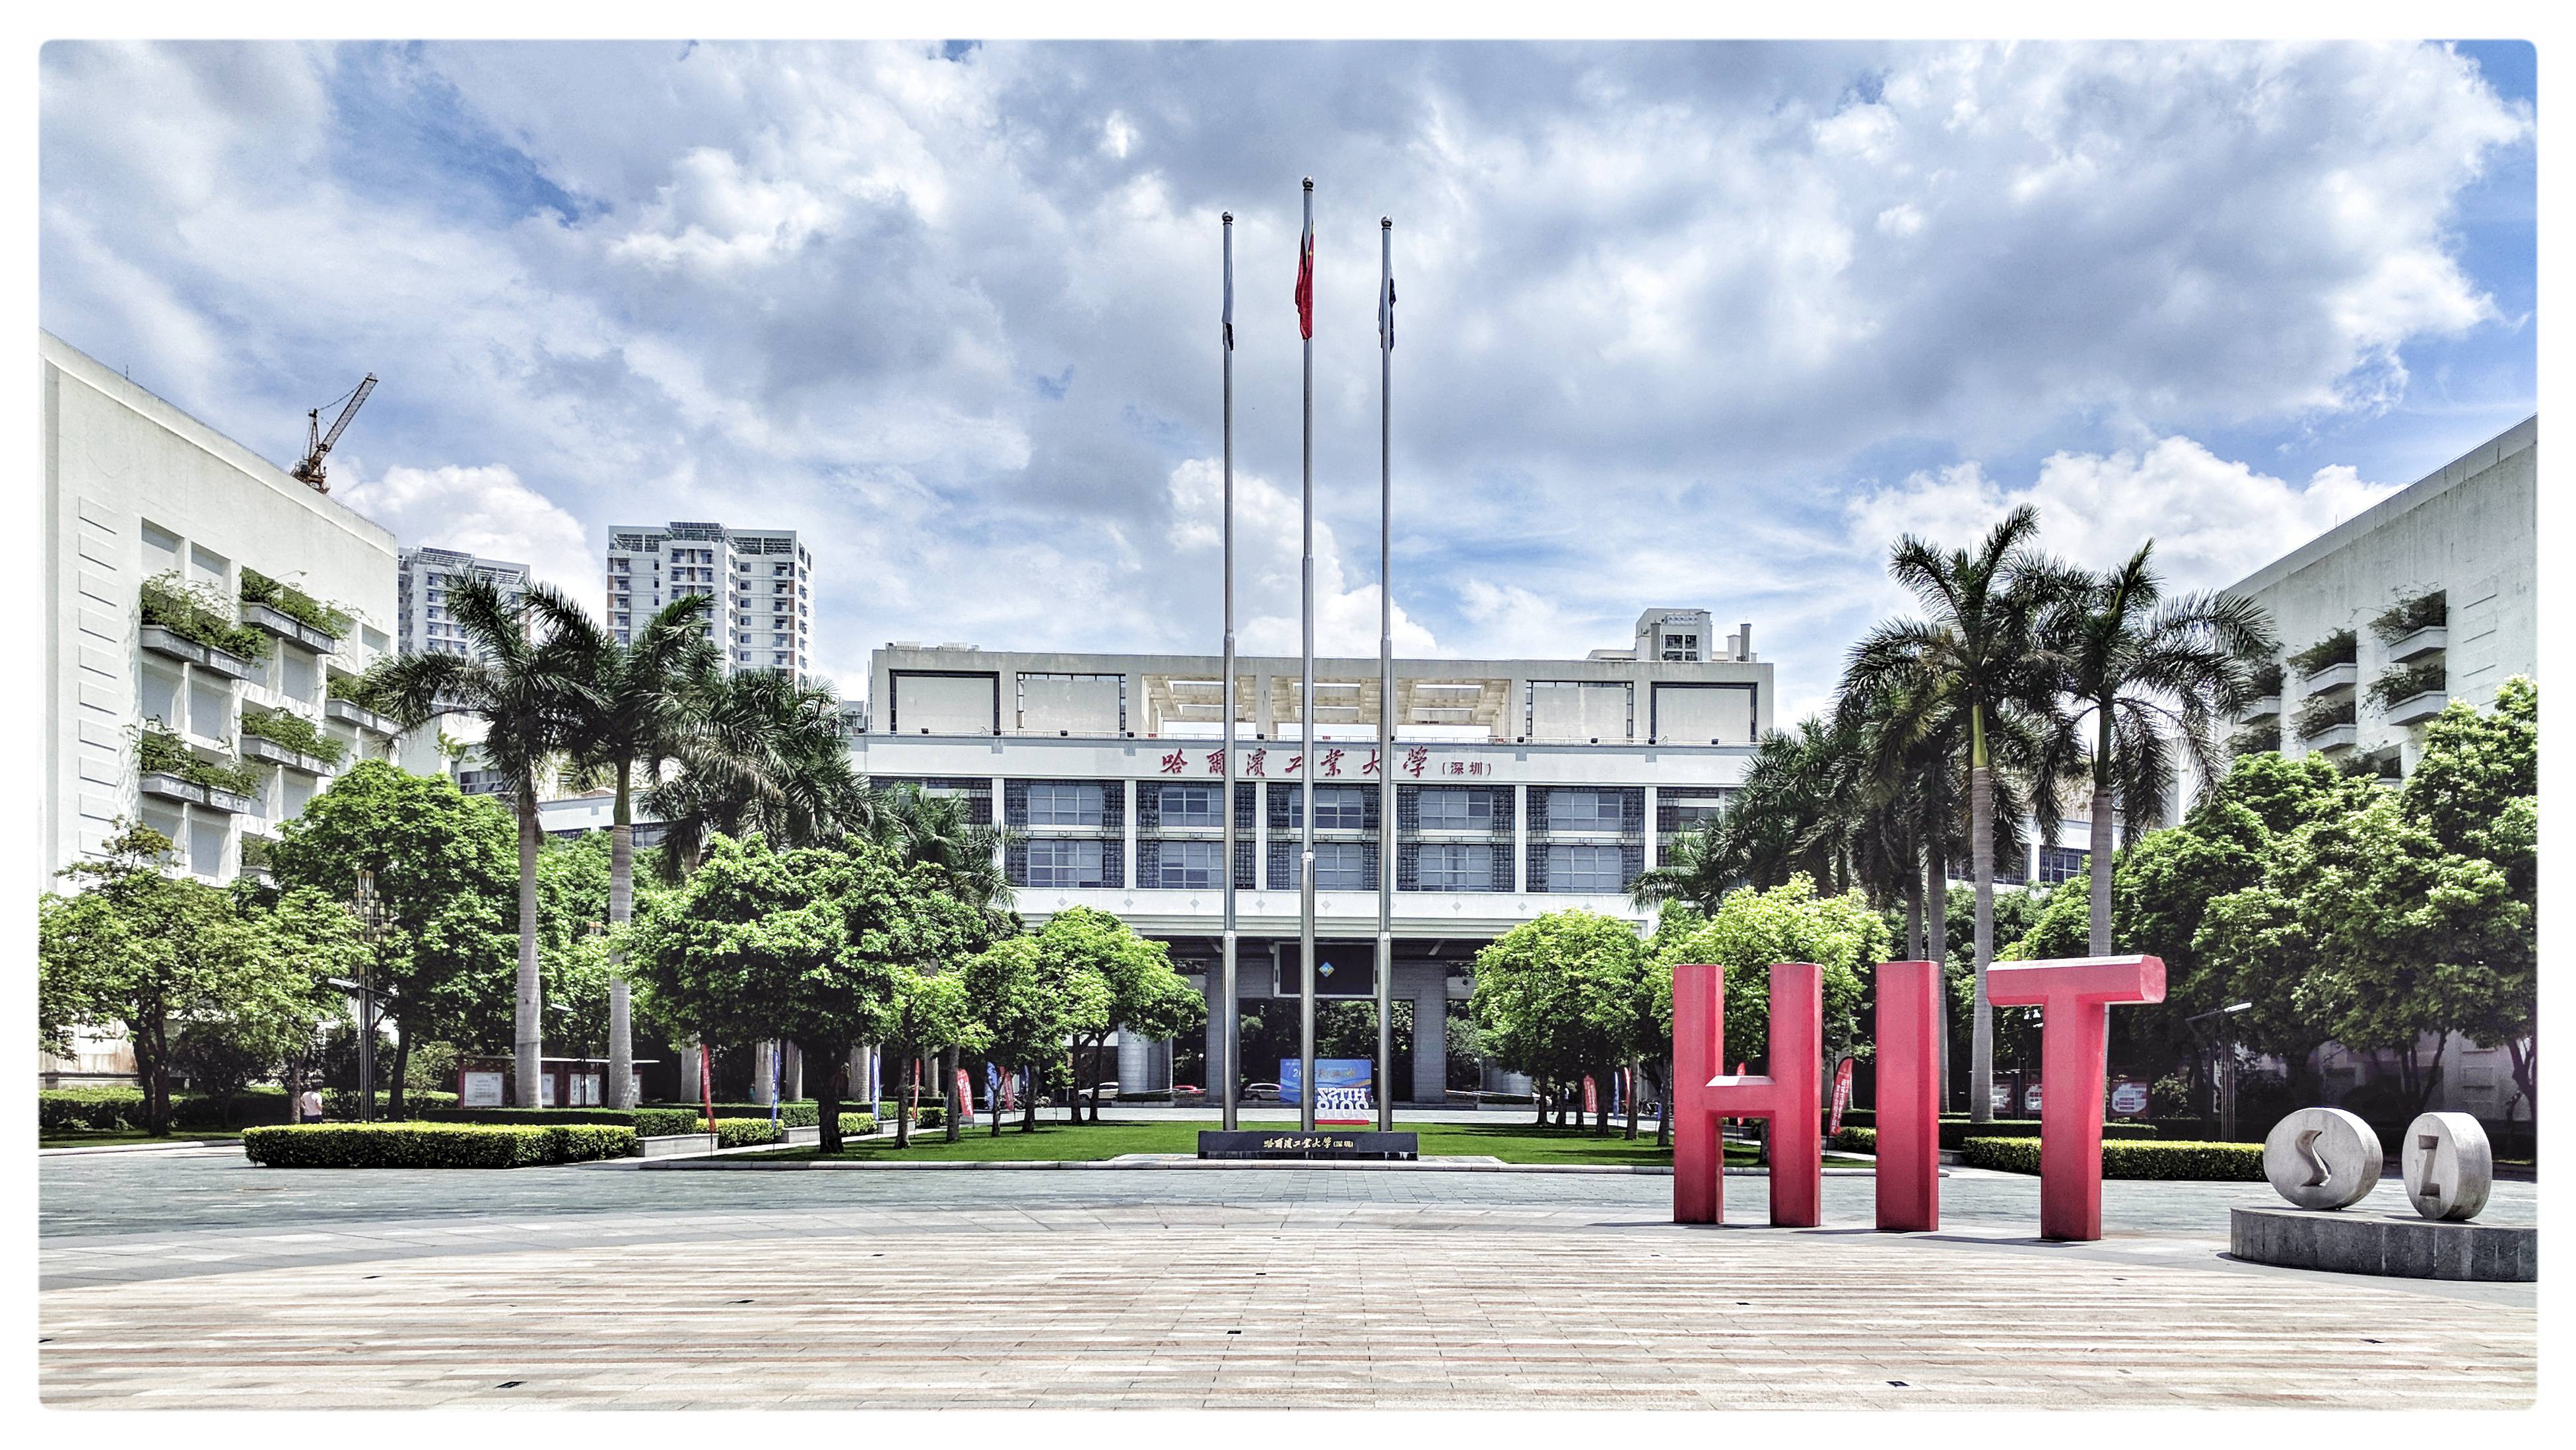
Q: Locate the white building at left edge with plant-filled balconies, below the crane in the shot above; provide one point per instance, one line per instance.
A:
(148, 722)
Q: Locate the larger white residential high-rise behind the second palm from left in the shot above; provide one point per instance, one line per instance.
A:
(761, 583)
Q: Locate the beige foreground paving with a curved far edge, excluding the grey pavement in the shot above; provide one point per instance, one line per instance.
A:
(1333, 1310)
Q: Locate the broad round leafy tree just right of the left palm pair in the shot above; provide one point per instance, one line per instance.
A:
(826, 949)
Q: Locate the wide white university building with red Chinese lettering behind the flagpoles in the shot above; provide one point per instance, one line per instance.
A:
(1524, 787)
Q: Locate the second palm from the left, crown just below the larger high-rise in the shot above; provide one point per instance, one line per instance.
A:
(635, 715)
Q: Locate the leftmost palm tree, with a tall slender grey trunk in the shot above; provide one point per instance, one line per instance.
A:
(527, 684)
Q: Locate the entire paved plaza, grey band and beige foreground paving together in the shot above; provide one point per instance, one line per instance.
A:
(200, 1281)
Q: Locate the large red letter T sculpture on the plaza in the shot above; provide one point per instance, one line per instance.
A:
(2075, 1001)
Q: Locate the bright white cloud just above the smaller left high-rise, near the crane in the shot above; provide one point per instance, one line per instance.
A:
(483, 511)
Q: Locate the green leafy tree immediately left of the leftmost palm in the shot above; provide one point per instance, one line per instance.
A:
(442, 864)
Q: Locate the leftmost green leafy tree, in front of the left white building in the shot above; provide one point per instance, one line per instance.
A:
(153, 954)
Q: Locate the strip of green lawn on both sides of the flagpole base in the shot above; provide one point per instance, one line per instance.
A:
(1091, 1142)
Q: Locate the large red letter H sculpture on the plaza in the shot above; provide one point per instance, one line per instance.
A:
(1792, 1098)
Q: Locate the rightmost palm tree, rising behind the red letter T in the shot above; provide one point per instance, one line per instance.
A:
(2147, 679)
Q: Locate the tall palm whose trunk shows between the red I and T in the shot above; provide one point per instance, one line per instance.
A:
(1980, 655)
